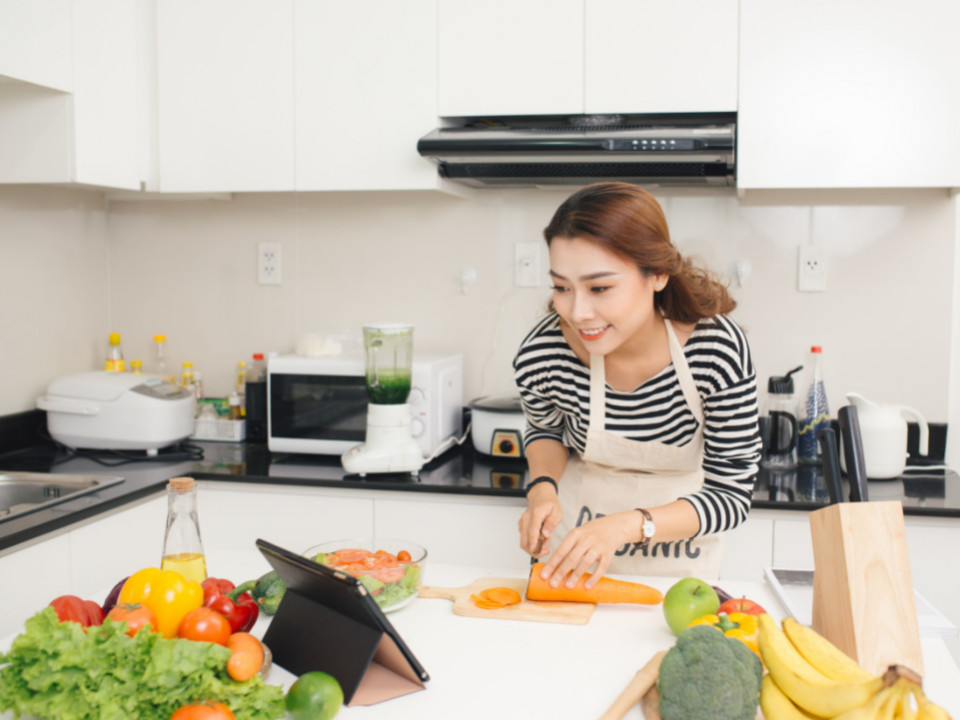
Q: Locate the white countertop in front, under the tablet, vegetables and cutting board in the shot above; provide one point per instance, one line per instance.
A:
(482, 668)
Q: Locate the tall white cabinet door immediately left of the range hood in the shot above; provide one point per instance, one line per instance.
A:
(366, 91)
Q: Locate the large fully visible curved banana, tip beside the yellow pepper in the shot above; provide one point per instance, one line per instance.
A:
(804, 684)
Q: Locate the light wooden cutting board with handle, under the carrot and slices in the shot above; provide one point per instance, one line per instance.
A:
(535, 610)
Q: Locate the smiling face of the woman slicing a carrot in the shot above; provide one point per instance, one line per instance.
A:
(604, 298)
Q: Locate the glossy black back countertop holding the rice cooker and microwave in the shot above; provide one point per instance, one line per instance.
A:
(460, 471)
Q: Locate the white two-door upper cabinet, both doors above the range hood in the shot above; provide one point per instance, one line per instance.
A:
(562, 57)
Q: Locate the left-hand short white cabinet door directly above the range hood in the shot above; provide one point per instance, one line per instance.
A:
(502, 57)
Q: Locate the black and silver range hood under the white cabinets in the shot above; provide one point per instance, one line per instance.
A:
(661, 150)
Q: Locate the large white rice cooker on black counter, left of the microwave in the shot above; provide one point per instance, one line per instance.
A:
(117, 411)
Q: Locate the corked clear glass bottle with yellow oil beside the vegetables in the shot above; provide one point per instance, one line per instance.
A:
(182, 547)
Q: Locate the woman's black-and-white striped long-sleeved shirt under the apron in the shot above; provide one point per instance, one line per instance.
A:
(554, 389)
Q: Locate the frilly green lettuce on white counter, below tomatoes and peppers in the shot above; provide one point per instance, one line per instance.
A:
(57, 671)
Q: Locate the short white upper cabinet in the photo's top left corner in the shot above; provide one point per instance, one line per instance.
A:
(36, 39)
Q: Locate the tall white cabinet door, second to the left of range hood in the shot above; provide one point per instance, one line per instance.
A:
(225, 95)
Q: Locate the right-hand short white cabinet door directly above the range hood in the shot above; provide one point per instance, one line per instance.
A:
(649, 56)
